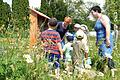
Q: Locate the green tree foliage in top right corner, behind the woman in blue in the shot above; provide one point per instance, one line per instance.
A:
(113, 10)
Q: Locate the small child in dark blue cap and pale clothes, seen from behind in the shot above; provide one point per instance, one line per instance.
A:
(68, 51)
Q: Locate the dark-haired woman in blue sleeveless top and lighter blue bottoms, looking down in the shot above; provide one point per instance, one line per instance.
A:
(104, 38)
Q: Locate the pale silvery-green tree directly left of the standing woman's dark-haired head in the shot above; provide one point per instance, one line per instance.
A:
(79, 12)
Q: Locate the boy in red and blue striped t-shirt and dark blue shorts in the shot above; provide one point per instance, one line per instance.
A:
(51, 43)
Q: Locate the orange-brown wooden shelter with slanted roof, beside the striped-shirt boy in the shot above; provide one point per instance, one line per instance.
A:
(38, 23)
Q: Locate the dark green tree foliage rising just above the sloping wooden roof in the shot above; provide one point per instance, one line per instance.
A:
(54, 8)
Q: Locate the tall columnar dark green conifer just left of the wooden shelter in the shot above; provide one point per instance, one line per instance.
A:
(20, 14)
